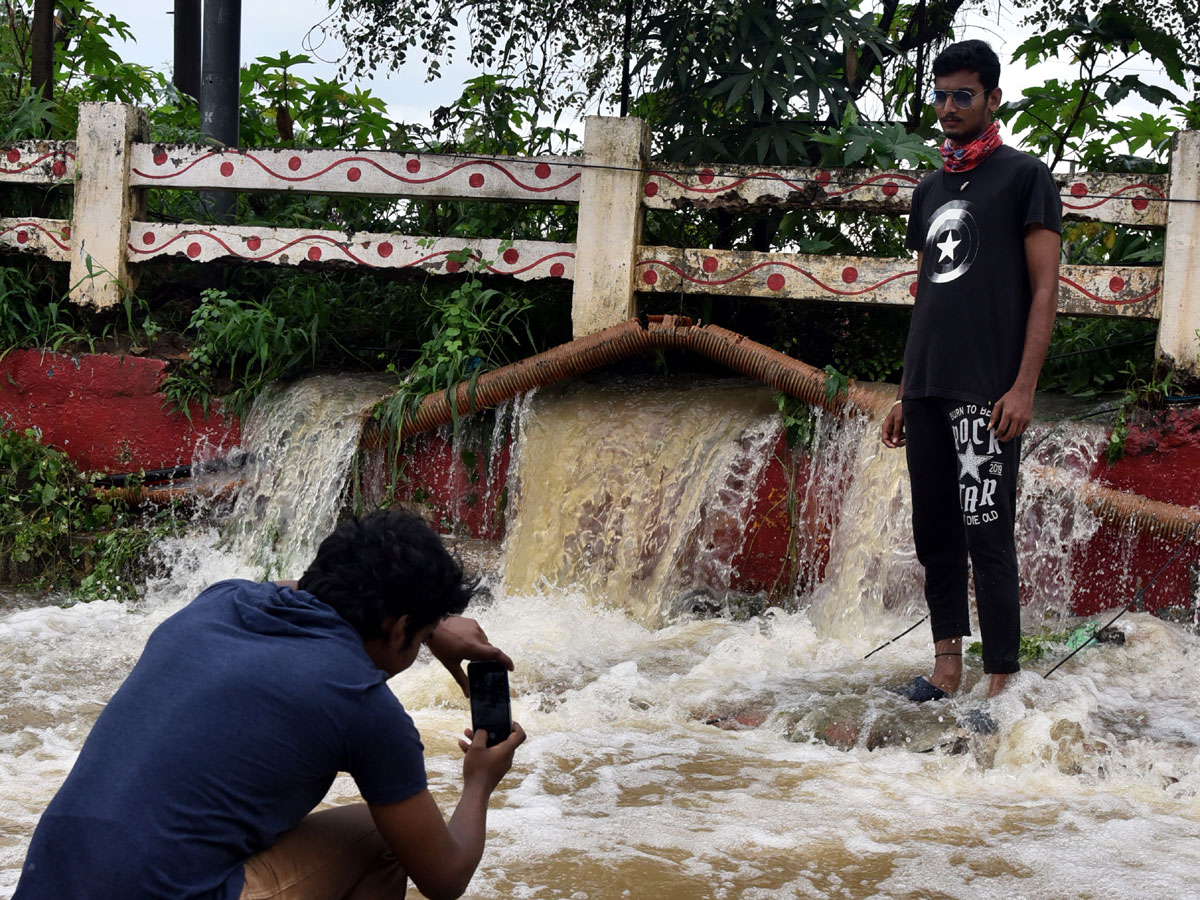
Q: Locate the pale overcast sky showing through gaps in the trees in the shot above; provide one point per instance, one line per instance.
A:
(272, 26)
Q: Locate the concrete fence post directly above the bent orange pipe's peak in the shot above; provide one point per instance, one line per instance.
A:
(610, 223)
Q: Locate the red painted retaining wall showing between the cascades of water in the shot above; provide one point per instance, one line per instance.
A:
(109, 416)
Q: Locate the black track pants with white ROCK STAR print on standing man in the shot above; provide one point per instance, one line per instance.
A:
(964, 502)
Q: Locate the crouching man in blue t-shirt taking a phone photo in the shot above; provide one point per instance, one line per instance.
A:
(200, 778)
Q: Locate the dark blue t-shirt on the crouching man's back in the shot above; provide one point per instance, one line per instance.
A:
(243, 710)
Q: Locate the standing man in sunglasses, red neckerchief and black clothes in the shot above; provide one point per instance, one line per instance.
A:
(987, 235)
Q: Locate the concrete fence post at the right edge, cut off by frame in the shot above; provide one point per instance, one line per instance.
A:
(1180, 317)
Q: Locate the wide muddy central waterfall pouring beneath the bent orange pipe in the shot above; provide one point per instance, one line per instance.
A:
(637, 494)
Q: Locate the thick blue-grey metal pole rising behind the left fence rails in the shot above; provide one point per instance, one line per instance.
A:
(220, 89)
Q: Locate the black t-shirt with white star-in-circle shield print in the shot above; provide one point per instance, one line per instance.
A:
(974, 292)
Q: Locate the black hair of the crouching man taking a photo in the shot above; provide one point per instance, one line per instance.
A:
(386, 566)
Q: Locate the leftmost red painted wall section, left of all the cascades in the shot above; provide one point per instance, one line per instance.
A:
(106, 412)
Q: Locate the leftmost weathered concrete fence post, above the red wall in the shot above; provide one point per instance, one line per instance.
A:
(104, 203)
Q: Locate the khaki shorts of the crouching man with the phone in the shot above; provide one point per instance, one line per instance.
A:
(333, 855)
